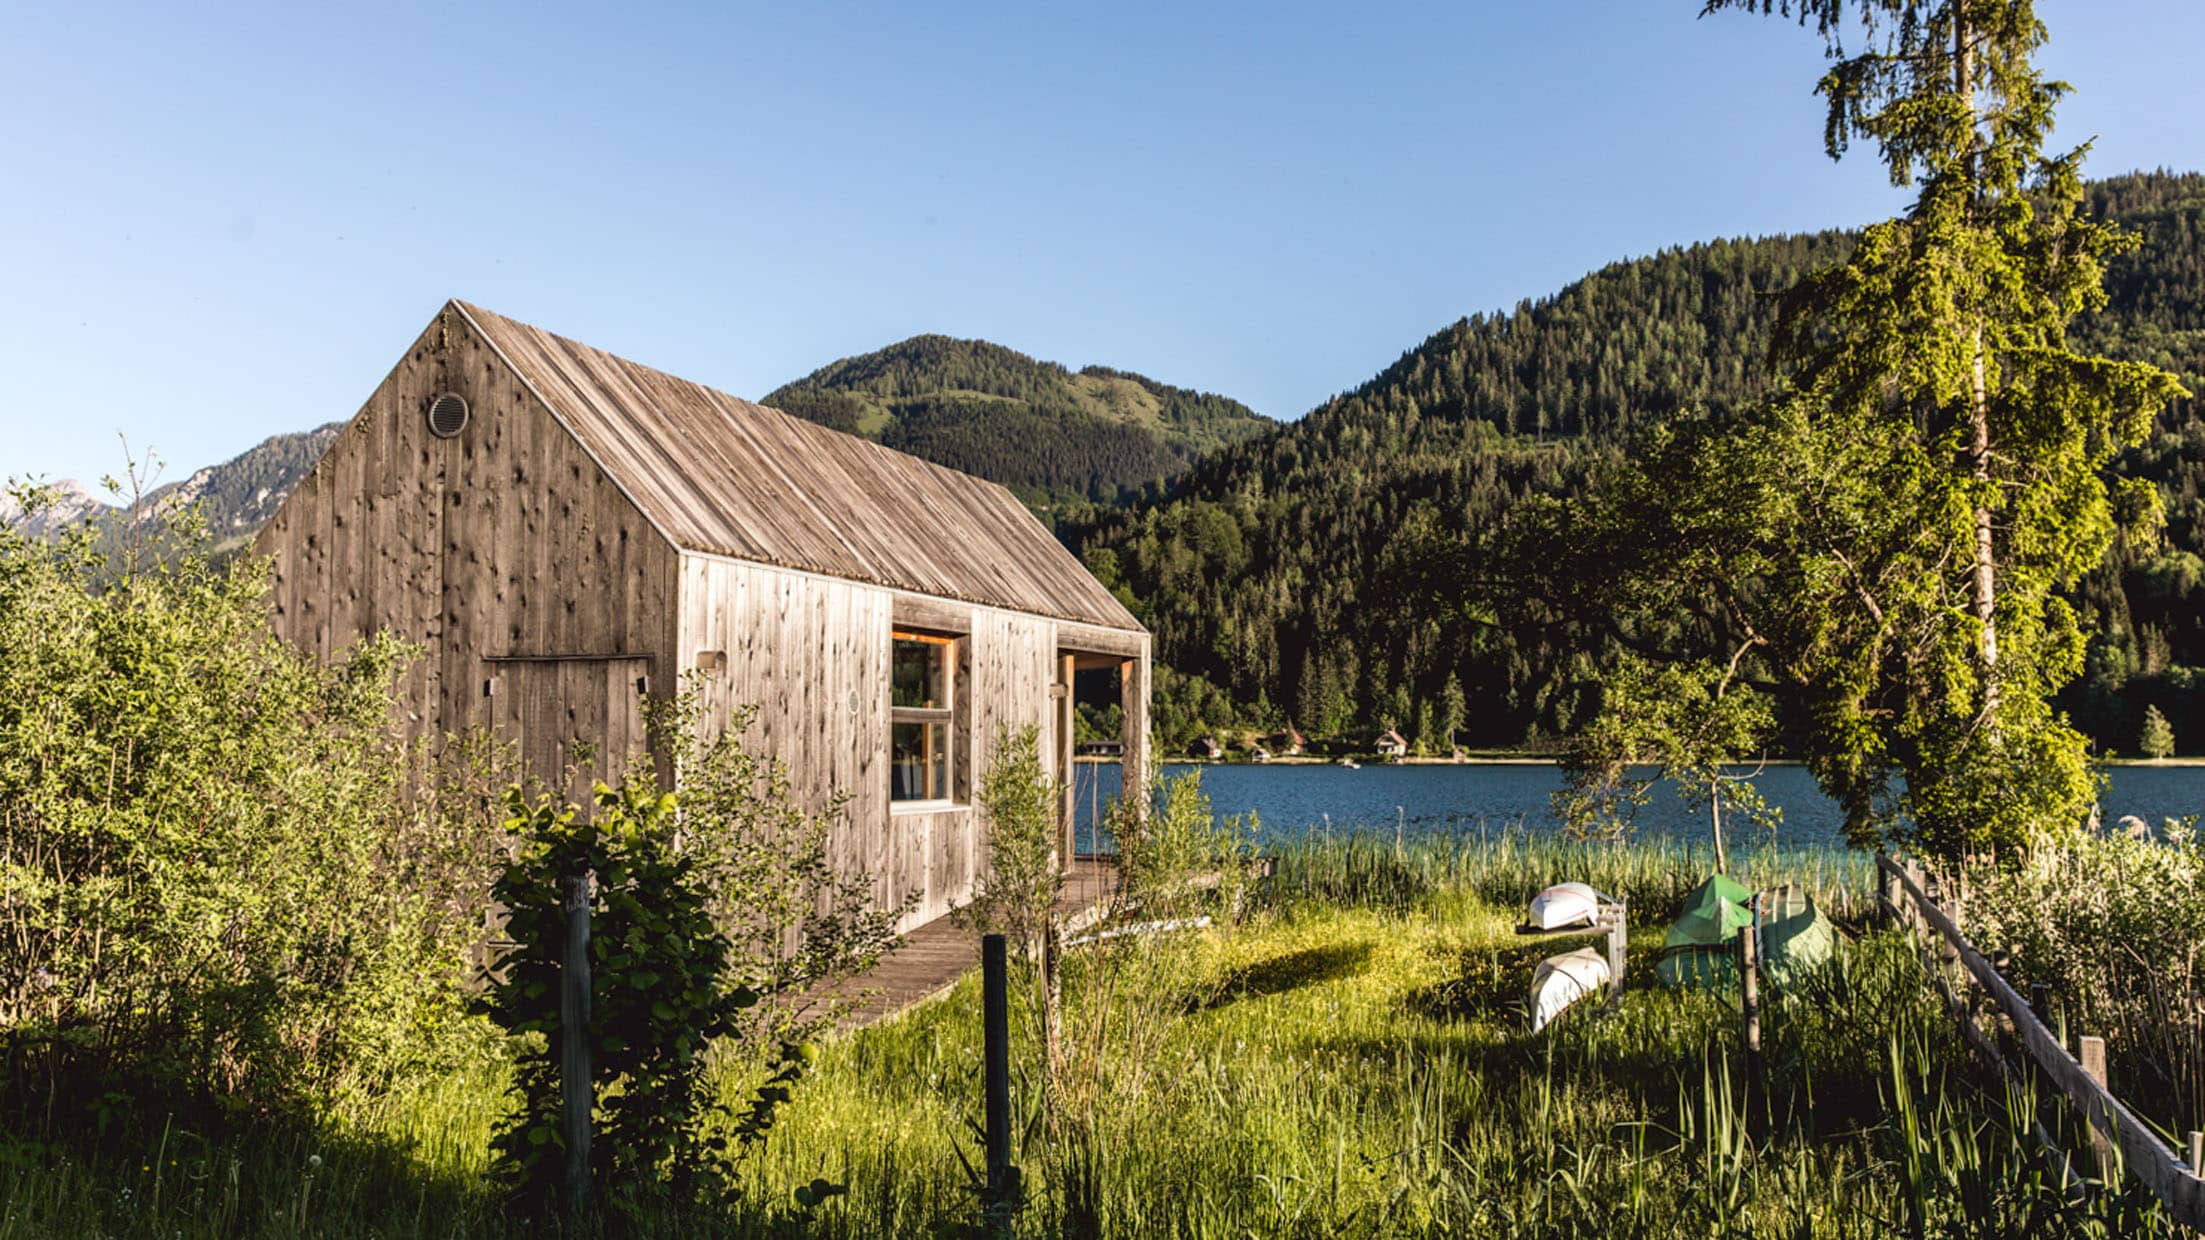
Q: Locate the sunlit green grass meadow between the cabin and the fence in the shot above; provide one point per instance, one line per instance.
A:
(1348, 1058)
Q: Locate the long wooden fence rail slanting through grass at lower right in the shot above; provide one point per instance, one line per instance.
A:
(2162, 1170)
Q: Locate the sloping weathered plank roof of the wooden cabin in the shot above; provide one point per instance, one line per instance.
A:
(731, 478)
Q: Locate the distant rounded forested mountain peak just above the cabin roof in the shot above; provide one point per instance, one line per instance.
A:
(1048, 434)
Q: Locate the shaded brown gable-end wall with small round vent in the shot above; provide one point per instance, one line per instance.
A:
(502, 542)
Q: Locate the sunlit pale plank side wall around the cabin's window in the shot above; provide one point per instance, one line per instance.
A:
(813, 656)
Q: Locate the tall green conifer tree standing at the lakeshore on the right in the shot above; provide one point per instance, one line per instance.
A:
(1946, 442)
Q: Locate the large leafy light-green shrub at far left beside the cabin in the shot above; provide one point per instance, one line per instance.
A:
(217, 873)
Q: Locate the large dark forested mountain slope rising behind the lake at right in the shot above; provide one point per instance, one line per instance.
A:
(1295, 577)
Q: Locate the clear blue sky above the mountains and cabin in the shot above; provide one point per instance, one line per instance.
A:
(222, 226)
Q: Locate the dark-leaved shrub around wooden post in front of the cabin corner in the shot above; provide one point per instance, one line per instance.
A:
(720, 928)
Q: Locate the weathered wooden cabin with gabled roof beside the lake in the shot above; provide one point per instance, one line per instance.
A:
(568, 535)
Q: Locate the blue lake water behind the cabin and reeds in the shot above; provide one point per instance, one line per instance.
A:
(1489, 798)
